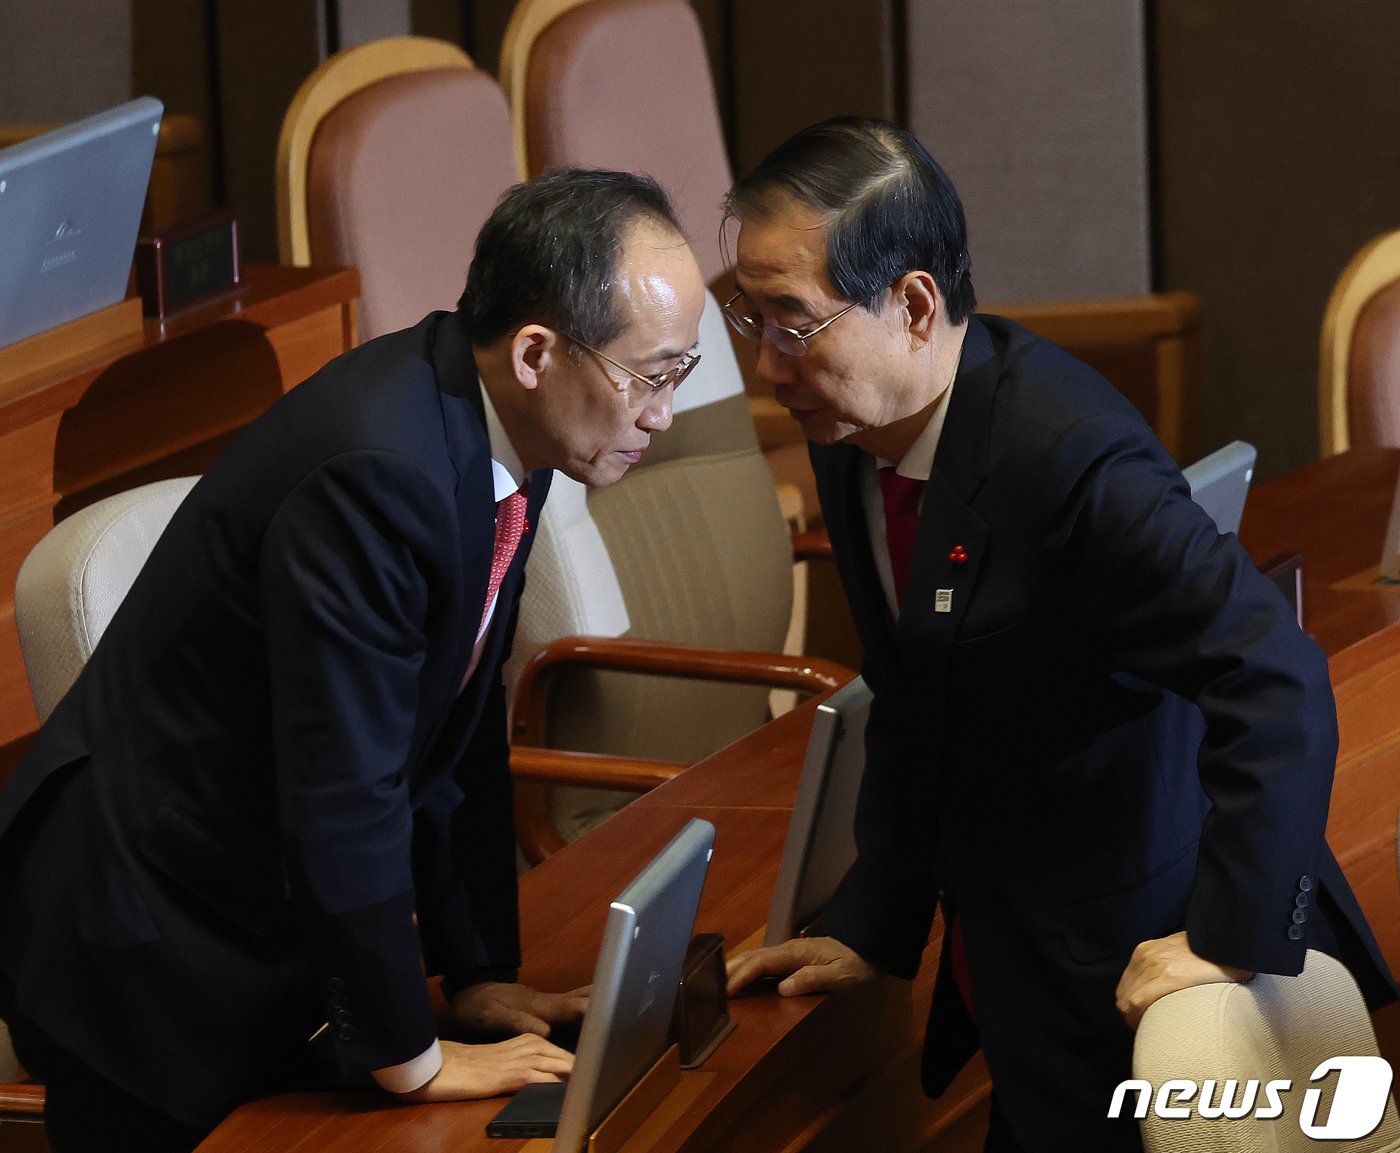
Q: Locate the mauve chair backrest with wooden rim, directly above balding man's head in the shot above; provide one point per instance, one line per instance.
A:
(577, 75)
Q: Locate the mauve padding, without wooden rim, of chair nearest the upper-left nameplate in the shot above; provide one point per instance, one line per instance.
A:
(401, 178)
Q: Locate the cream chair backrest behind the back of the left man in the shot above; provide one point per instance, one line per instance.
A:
(76, 577)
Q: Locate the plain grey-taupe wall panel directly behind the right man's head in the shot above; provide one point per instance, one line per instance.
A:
(1039, 115)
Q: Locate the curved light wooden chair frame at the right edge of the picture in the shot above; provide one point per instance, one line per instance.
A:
(1373, 269)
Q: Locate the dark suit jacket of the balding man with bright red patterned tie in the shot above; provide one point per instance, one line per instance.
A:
(226, 830)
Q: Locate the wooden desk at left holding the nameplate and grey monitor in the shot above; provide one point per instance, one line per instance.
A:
(156, 405)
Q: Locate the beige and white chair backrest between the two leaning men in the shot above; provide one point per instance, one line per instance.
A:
(691, 548)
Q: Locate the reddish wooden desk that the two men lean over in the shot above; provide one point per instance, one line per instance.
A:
(794, 1075)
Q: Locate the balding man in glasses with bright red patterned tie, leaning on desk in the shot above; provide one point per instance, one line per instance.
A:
(281, 784)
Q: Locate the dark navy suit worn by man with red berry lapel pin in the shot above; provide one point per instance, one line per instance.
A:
(1114, 731)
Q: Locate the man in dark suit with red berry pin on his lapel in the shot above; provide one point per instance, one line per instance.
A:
(1098, 737)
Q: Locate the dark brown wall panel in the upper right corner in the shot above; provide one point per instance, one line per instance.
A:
(1279, 157)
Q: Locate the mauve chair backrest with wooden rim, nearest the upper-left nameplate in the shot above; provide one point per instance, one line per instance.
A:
(391, 157)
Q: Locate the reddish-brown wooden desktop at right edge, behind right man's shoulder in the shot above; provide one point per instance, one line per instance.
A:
(1335, 514)
